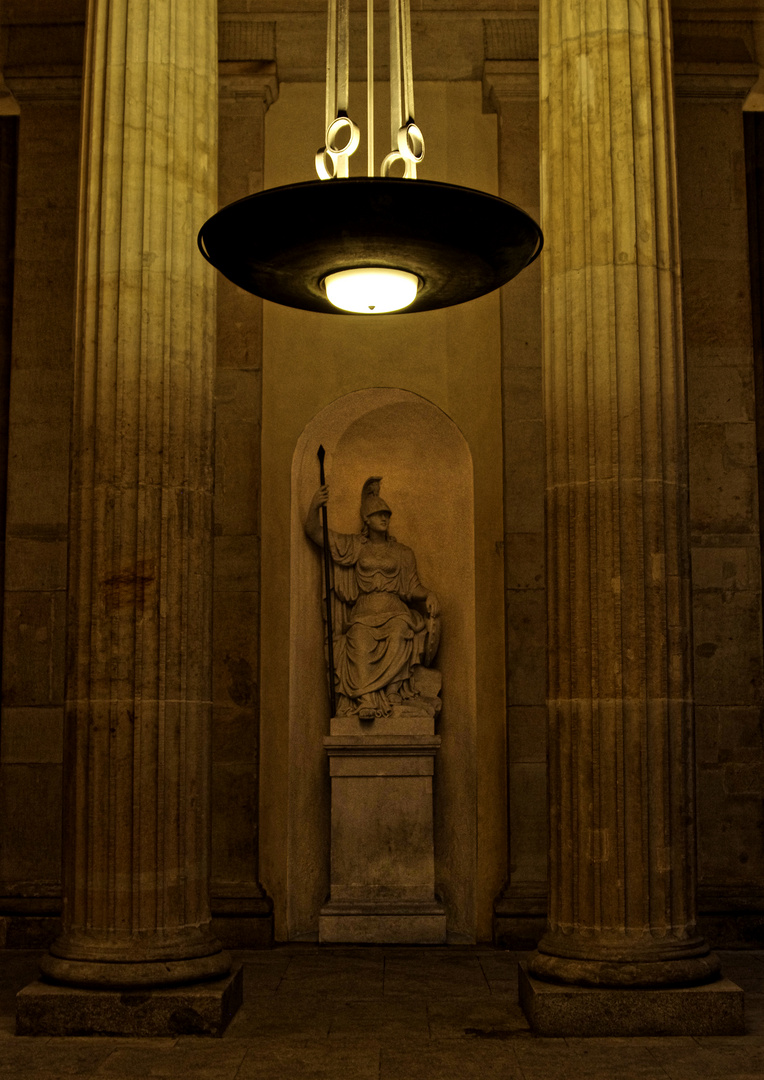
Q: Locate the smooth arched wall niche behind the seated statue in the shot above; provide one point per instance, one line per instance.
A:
(427, 480)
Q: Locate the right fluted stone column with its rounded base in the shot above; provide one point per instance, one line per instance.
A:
(622, 907)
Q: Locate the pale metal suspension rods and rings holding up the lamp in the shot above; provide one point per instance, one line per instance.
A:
(343, 136)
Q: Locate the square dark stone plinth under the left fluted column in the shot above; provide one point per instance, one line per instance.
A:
(203, 1009)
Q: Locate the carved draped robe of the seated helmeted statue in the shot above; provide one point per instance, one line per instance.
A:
(379, 639)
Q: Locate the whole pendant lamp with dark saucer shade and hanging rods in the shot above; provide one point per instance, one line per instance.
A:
(370, 246)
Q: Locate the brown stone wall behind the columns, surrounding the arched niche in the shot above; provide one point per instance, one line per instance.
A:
(42, 71)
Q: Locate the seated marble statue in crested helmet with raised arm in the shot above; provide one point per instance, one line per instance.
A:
(386, 625)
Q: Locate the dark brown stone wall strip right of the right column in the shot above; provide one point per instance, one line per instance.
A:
(725, 511)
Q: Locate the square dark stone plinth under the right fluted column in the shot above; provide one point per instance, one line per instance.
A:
(592, 1012)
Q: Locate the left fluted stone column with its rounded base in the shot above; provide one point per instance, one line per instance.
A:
(137, 910)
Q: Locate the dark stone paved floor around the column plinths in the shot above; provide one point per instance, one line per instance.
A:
(320, 1014)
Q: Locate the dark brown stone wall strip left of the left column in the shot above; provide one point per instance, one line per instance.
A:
(38, 483)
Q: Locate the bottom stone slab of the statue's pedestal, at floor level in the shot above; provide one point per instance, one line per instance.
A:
(380, 924)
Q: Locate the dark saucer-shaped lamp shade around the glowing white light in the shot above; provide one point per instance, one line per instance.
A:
(284, 242)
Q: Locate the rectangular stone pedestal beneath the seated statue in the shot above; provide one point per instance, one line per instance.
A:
(383, 875)
